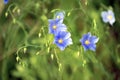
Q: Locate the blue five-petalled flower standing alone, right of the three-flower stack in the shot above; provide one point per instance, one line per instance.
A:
(89, 42)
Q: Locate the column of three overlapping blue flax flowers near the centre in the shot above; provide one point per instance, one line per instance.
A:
(58, 28)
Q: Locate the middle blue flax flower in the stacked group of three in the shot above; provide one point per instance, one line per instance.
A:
(55, 26)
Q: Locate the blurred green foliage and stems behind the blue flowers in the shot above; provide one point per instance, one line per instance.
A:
(27, 52)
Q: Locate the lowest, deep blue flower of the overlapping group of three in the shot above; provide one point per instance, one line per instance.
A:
(62, 39)
